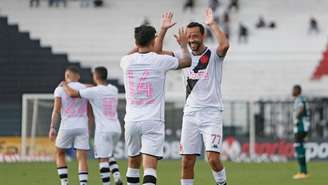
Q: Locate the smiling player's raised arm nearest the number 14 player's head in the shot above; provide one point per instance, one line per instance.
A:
(166, 23)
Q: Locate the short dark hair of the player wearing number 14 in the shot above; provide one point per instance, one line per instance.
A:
(144, 35)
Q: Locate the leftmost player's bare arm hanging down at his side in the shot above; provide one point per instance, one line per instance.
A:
(54, 118)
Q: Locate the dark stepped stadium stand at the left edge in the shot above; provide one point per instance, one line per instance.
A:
(26, 68)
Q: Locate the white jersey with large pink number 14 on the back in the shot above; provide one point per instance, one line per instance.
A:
(144, 82)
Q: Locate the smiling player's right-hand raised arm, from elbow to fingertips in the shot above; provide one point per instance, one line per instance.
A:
(218, 33)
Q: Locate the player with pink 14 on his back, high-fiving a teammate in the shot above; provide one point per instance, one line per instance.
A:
(144, 81)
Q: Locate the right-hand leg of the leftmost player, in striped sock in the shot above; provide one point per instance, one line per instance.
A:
(82, 157)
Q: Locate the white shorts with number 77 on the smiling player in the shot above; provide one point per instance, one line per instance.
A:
(201, 127)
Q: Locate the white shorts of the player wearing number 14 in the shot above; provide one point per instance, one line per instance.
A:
(146, 137)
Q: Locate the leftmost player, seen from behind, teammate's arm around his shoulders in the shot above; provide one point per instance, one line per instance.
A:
(73, 131)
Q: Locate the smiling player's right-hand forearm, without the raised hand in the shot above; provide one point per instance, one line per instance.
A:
(220, 37)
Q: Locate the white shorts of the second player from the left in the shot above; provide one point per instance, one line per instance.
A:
(105, 143)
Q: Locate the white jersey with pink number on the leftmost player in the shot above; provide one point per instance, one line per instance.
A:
(73, 110)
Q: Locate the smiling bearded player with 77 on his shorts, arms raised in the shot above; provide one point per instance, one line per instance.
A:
(203, 111)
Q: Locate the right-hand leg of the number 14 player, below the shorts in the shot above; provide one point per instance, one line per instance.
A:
(150, 167)
